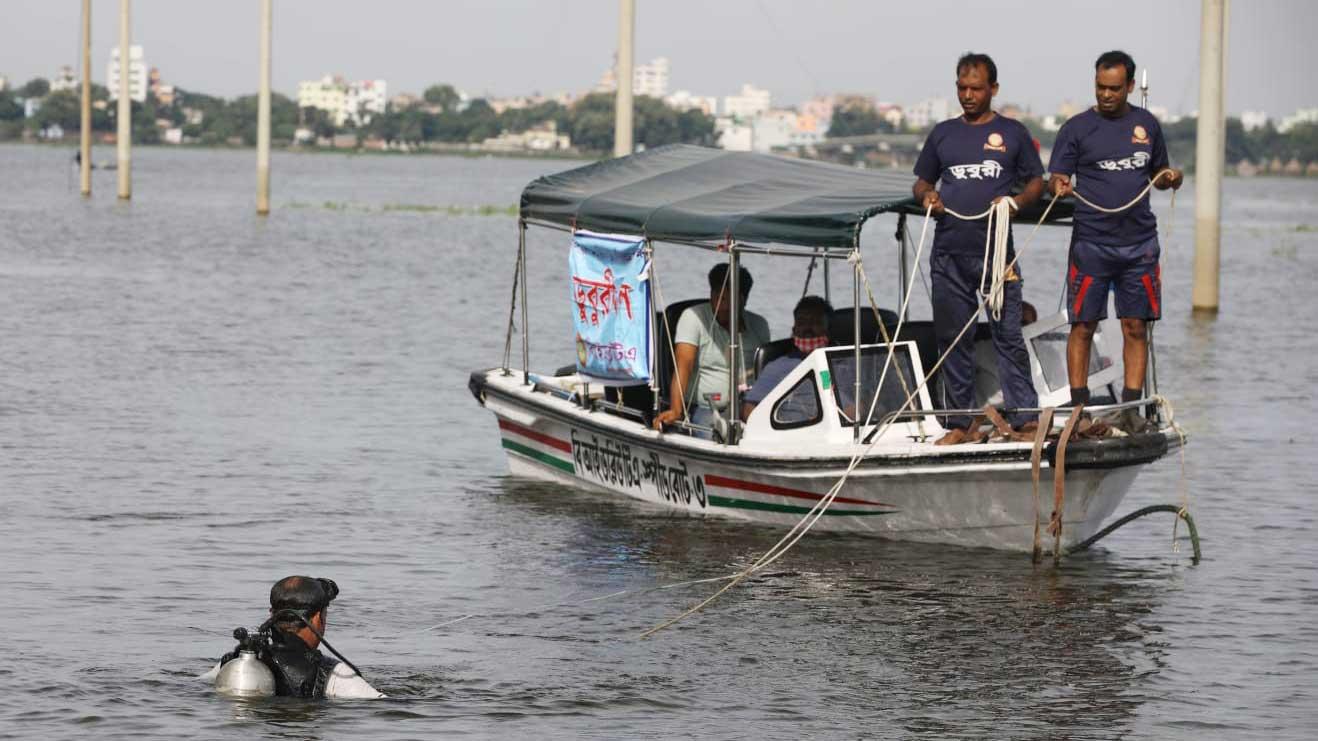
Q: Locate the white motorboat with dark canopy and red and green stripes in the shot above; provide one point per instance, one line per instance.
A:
(778, 465)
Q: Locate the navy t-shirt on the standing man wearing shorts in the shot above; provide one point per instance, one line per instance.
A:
(1113, 160)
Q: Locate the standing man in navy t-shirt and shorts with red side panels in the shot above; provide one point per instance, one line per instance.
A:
(1114, 150)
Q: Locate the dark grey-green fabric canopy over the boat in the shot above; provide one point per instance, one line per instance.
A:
(695, 194)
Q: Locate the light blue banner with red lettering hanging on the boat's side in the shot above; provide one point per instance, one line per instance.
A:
(611, 308)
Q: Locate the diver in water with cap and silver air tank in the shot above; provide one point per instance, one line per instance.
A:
(288, 647)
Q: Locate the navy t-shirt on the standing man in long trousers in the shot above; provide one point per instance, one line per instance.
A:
(976, 163)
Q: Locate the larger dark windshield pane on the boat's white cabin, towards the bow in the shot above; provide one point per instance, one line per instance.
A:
(893, 395)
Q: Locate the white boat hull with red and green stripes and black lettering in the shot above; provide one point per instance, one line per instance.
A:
(985, 502)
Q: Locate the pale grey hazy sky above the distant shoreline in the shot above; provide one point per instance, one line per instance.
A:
(897, 52)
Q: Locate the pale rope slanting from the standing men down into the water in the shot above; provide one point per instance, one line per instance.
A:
(811, 518)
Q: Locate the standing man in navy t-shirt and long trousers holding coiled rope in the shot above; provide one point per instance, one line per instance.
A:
(979, 159)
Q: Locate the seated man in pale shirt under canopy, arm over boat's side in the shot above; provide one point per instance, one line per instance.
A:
(701, 351)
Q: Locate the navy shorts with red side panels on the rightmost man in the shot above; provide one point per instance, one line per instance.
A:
(1133, 271)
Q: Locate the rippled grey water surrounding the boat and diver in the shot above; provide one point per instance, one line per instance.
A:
(196, 403)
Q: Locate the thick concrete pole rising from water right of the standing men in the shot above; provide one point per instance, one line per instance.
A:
(1209, 158)
